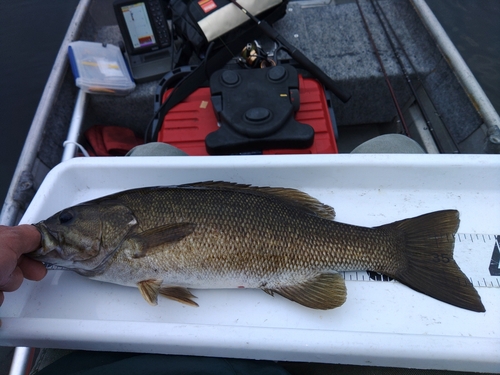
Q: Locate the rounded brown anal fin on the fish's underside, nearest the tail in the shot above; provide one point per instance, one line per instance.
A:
(325, 291)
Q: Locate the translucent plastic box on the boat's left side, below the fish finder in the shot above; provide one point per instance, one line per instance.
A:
(99, 69)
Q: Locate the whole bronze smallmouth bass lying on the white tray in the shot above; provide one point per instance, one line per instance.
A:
(167, 240)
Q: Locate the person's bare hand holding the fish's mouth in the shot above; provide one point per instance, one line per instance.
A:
(14, 266)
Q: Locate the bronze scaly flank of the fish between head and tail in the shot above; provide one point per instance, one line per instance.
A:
(244, 234)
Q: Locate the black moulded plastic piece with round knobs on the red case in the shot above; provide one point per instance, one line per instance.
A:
(255, 109)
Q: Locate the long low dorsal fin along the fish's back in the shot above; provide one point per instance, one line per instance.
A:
(291, 197)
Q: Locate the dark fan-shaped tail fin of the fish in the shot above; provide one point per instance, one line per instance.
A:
(428, 255)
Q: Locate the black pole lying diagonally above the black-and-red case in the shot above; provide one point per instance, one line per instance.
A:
(296, 54)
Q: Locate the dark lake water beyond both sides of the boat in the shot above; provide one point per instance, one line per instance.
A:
(31, 32)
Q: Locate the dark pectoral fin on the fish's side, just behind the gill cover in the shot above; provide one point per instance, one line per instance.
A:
(141, 244)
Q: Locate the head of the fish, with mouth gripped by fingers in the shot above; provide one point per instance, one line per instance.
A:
(83, 237)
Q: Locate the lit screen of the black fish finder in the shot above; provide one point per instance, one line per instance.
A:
(139, 27)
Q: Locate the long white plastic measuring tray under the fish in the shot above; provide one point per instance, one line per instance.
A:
(381, 323)
